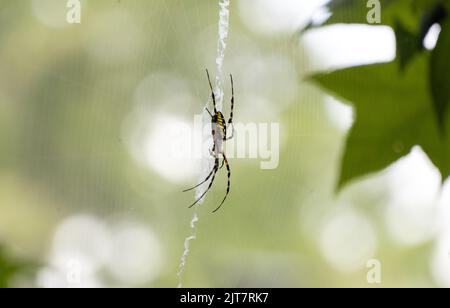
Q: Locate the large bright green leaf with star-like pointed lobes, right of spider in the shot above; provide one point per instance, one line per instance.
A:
(393, 113)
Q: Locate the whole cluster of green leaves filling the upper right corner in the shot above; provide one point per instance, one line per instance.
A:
(393, 101)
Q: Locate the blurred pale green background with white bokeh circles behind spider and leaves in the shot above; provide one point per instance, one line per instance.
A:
(90, 198)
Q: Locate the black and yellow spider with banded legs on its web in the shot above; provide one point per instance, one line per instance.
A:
(219, 136)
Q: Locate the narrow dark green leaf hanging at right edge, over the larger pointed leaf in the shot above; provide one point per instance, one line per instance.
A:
(440, 74)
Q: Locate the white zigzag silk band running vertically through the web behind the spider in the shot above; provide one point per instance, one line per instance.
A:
(207, 161)
